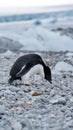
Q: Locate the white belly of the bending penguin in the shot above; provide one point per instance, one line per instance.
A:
(37, 69)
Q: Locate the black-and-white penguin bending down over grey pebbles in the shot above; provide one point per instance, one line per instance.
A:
(29, 65)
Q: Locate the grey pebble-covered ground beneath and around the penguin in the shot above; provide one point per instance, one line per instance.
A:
(41, 106)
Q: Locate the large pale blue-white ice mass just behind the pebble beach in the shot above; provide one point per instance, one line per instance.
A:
(36, 38)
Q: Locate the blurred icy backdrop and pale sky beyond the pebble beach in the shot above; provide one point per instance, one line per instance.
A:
(36, 25)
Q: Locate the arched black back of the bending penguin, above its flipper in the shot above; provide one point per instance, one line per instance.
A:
(31, 59)
